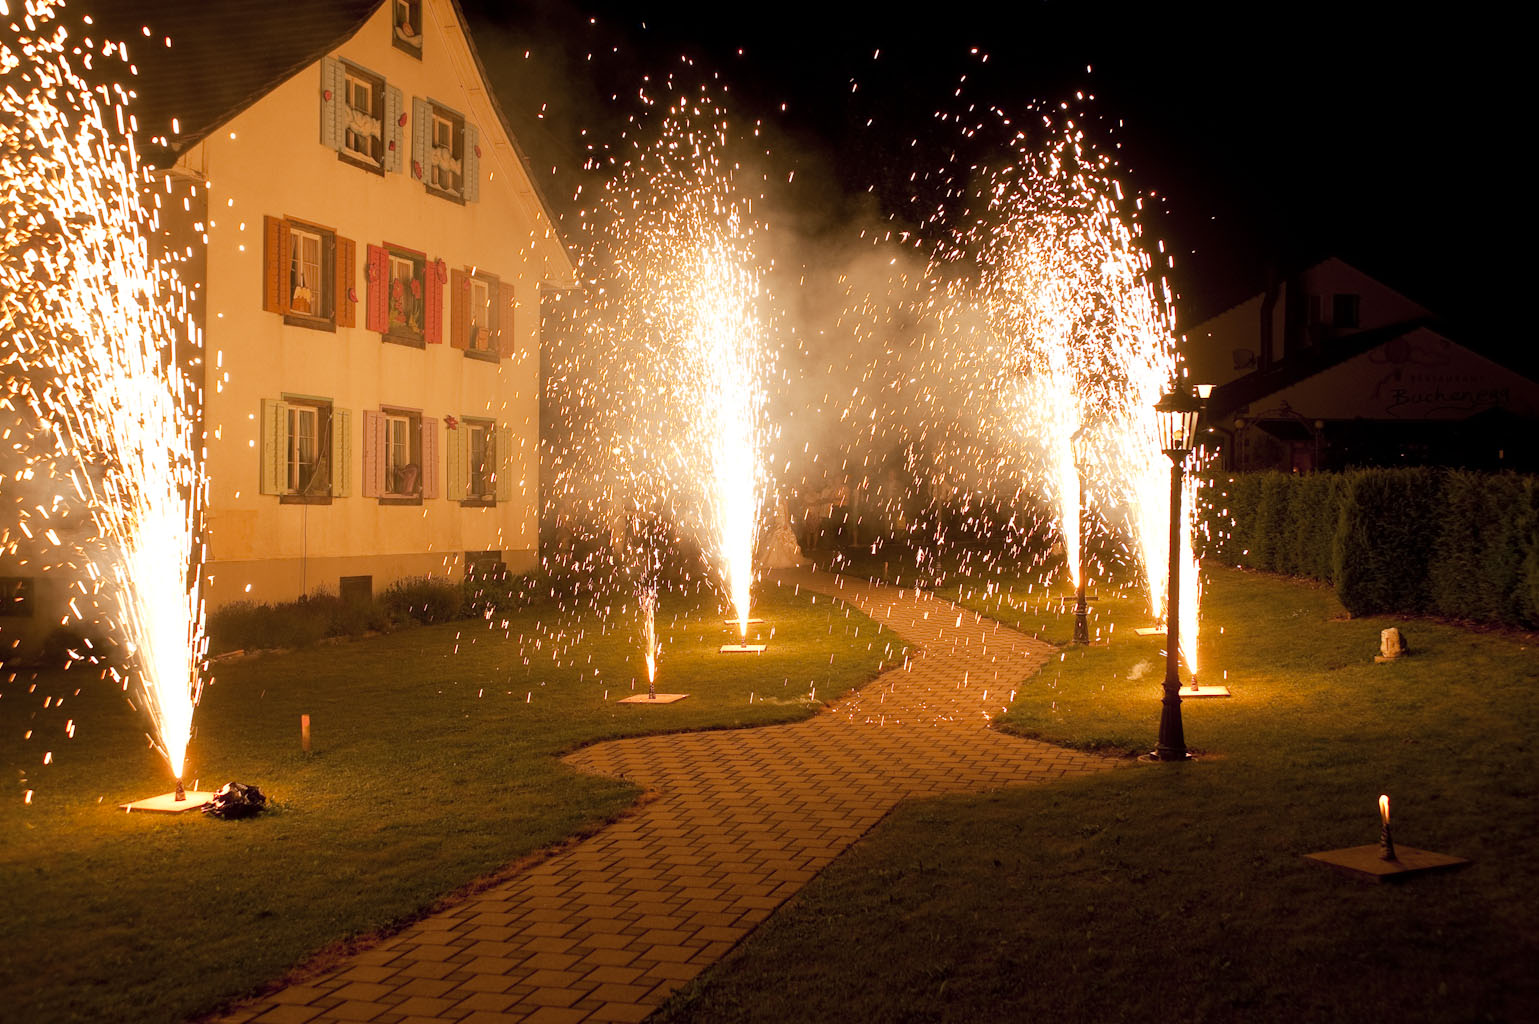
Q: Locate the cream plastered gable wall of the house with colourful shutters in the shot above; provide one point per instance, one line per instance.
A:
(270, 161)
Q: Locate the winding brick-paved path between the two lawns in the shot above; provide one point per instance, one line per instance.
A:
(607, 929)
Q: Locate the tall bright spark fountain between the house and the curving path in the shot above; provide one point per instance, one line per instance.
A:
(679, 318)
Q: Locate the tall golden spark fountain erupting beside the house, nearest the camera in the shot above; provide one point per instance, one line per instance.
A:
(92, 323)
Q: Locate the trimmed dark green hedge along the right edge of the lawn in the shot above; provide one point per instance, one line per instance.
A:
(1410, 541)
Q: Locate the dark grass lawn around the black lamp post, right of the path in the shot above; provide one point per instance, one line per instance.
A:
(1180, 892)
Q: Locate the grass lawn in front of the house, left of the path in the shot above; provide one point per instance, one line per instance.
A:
(435, 765)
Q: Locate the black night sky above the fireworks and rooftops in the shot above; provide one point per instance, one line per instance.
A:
(1275, 141)
